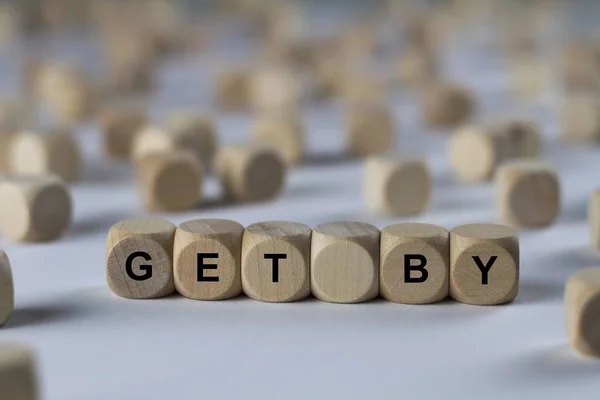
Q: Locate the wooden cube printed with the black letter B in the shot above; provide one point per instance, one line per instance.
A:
(415, 266)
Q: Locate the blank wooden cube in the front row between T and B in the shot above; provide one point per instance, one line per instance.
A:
(345, 262)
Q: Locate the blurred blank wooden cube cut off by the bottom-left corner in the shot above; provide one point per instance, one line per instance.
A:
(18, 372)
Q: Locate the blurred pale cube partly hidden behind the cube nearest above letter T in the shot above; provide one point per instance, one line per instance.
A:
(285, 133)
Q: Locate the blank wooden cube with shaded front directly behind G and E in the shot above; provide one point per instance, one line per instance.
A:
(170, 181)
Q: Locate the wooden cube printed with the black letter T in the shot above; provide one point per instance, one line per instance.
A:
(276, 261)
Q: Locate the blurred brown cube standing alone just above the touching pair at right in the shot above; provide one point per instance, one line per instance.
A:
(447, 105)
